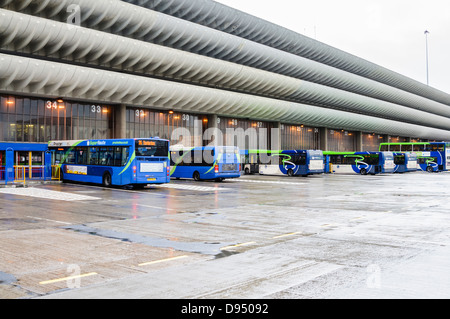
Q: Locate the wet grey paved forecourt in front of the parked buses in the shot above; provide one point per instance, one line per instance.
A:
(326, 236)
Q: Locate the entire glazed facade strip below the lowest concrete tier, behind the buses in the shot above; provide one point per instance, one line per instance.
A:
(25, 119)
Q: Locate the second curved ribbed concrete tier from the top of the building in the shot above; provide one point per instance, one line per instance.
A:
(149, 26)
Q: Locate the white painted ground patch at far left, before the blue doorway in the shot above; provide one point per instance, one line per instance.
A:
(46, 194)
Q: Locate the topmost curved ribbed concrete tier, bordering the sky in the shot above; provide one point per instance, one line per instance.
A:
(223, 18)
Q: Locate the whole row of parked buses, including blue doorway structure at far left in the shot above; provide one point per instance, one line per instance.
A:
(139, 162)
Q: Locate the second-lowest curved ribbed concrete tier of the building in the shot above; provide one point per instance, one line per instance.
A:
(27, 33)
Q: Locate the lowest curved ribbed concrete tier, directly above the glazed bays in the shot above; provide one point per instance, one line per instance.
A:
(38, 77)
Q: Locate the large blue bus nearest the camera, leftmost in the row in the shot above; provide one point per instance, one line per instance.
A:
(116, 162)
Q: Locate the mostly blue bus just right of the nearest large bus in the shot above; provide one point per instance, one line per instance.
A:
(205, 163)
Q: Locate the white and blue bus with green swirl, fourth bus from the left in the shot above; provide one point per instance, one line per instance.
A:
(359, 162)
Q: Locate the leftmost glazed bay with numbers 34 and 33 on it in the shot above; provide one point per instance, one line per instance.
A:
(25, 119)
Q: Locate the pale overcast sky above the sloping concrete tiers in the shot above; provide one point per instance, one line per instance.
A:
(386, 32)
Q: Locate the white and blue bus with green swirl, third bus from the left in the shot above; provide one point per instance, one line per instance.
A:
(292, 163)
